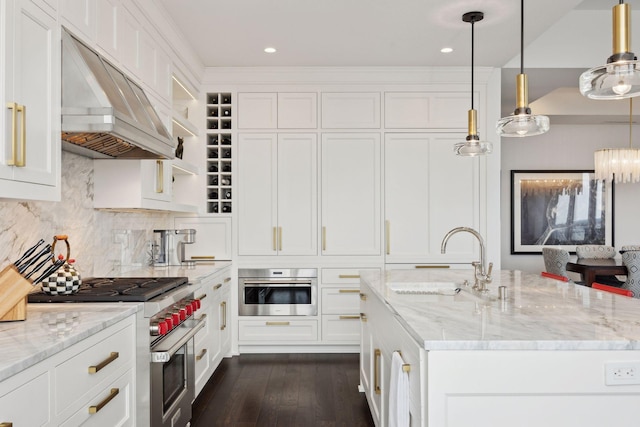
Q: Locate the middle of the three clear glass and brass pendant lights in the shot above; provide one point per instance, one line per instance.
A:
(522, 123)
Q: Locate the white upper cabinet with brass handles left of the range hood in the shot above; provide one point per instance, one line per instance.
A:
(30, 127)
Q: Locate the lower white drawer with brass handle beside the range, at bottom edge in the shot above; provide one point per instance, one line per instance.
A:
(112, 409)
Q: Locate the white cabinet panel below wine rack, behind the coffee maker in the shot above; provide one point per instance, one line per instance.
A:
(213, 238)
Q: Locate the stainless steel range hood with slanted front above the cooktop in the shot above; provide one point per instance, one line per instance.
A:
(105, 114)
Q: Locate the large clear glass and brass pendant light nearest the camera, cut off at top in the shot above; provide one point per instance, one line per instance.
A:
(619, 78)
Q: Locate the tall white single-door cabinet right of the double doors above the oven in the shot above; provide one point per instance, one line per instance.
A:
(350, 194)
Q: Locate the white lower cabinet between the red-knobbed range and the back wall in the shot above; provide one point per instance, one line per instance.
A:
(213, 342)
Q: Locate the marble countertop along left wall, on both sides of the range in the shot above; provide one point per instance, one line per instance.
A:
(51, 328)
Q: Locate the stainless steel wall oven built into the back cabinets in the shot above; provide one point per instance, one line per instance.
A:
(278, 292)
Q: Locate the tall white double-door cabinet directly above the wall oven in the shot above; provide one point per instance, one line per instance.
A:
(277, 181)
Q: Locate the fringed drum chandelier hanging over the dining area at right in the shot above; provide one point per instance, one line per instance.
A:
(621, 164)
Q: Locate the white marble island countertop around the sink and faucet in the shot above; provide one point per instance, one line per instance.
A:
(538, 314)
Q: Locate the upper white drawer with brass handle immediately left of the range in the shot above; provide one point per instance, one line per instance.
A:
(73, 377)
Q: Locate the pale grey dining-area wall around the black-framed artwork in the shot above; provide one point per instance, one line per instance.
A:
(566, 147)
